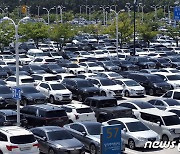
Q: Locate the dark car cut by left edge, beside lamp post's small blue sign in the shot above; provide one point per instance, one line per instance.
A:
(6, 100)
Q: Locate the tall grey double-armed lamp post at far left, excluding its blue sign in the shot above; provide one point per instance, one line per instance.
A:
(17, 61)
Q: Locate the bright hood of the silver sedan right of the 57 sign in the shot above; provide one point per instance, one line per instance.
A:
(144, 134)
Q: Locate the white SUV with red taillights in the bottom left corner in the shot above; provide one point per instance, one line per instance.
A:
(17, 140)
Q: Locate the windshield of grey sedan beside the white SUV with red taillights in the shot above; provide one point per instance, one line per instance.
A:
(59, 135)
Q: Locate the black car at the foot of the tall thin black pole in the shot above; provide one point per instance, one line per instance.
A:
(142, 62)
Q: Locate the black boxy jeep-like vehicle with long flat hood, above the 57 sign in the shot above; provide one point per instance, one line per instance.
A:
(106, 108)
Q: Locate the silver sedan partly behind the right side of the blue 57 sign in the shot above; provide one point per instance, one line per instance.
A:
(134, 132)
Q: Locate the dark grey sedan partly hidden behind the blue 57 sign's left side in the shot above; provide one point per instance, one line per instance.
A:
(89, 134)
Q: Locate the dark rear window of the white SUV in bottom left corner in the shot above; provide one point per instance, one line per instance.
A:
(22, 139)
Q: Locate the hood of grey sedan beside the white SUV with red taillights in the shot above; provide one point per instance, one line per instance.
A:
(69, 143)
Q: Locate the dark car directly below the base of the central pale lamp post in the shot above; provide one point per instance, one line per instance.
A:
(109, 66)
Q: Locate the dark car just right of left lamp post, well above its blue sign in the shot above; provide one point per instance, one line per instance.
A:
(33, 69)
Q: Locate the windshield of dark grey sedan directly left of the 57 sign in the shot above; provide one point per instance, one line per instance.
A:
(94, 129)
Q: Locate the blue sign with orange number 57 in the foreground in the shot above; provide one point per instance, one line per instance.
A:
(111, 139)
